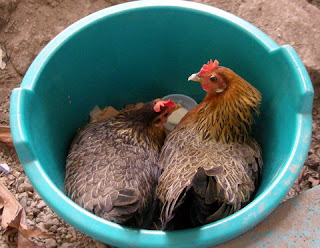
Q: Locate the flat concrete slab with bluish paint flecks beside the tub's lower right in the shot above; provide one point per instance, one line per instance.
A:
(295, 223)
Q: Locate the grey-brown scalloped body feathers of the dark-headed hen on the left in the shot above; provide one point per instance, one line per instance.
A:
(111, 178)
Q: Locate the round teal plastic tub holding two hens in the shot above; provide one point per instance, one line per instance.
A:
(143, 50)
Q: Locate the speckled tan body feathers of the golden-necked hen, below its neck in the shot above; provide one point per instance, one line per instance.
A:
(188, 162)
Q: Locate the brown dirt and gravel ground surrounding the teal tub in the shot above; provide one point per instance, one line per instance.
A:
(26, 26)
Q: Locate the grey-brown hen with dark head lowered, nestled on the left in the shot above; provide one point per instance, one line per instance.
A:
(112, 166)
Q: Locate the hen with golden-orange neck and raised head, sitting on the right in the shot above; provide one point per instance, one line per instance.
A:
(210, 164)
